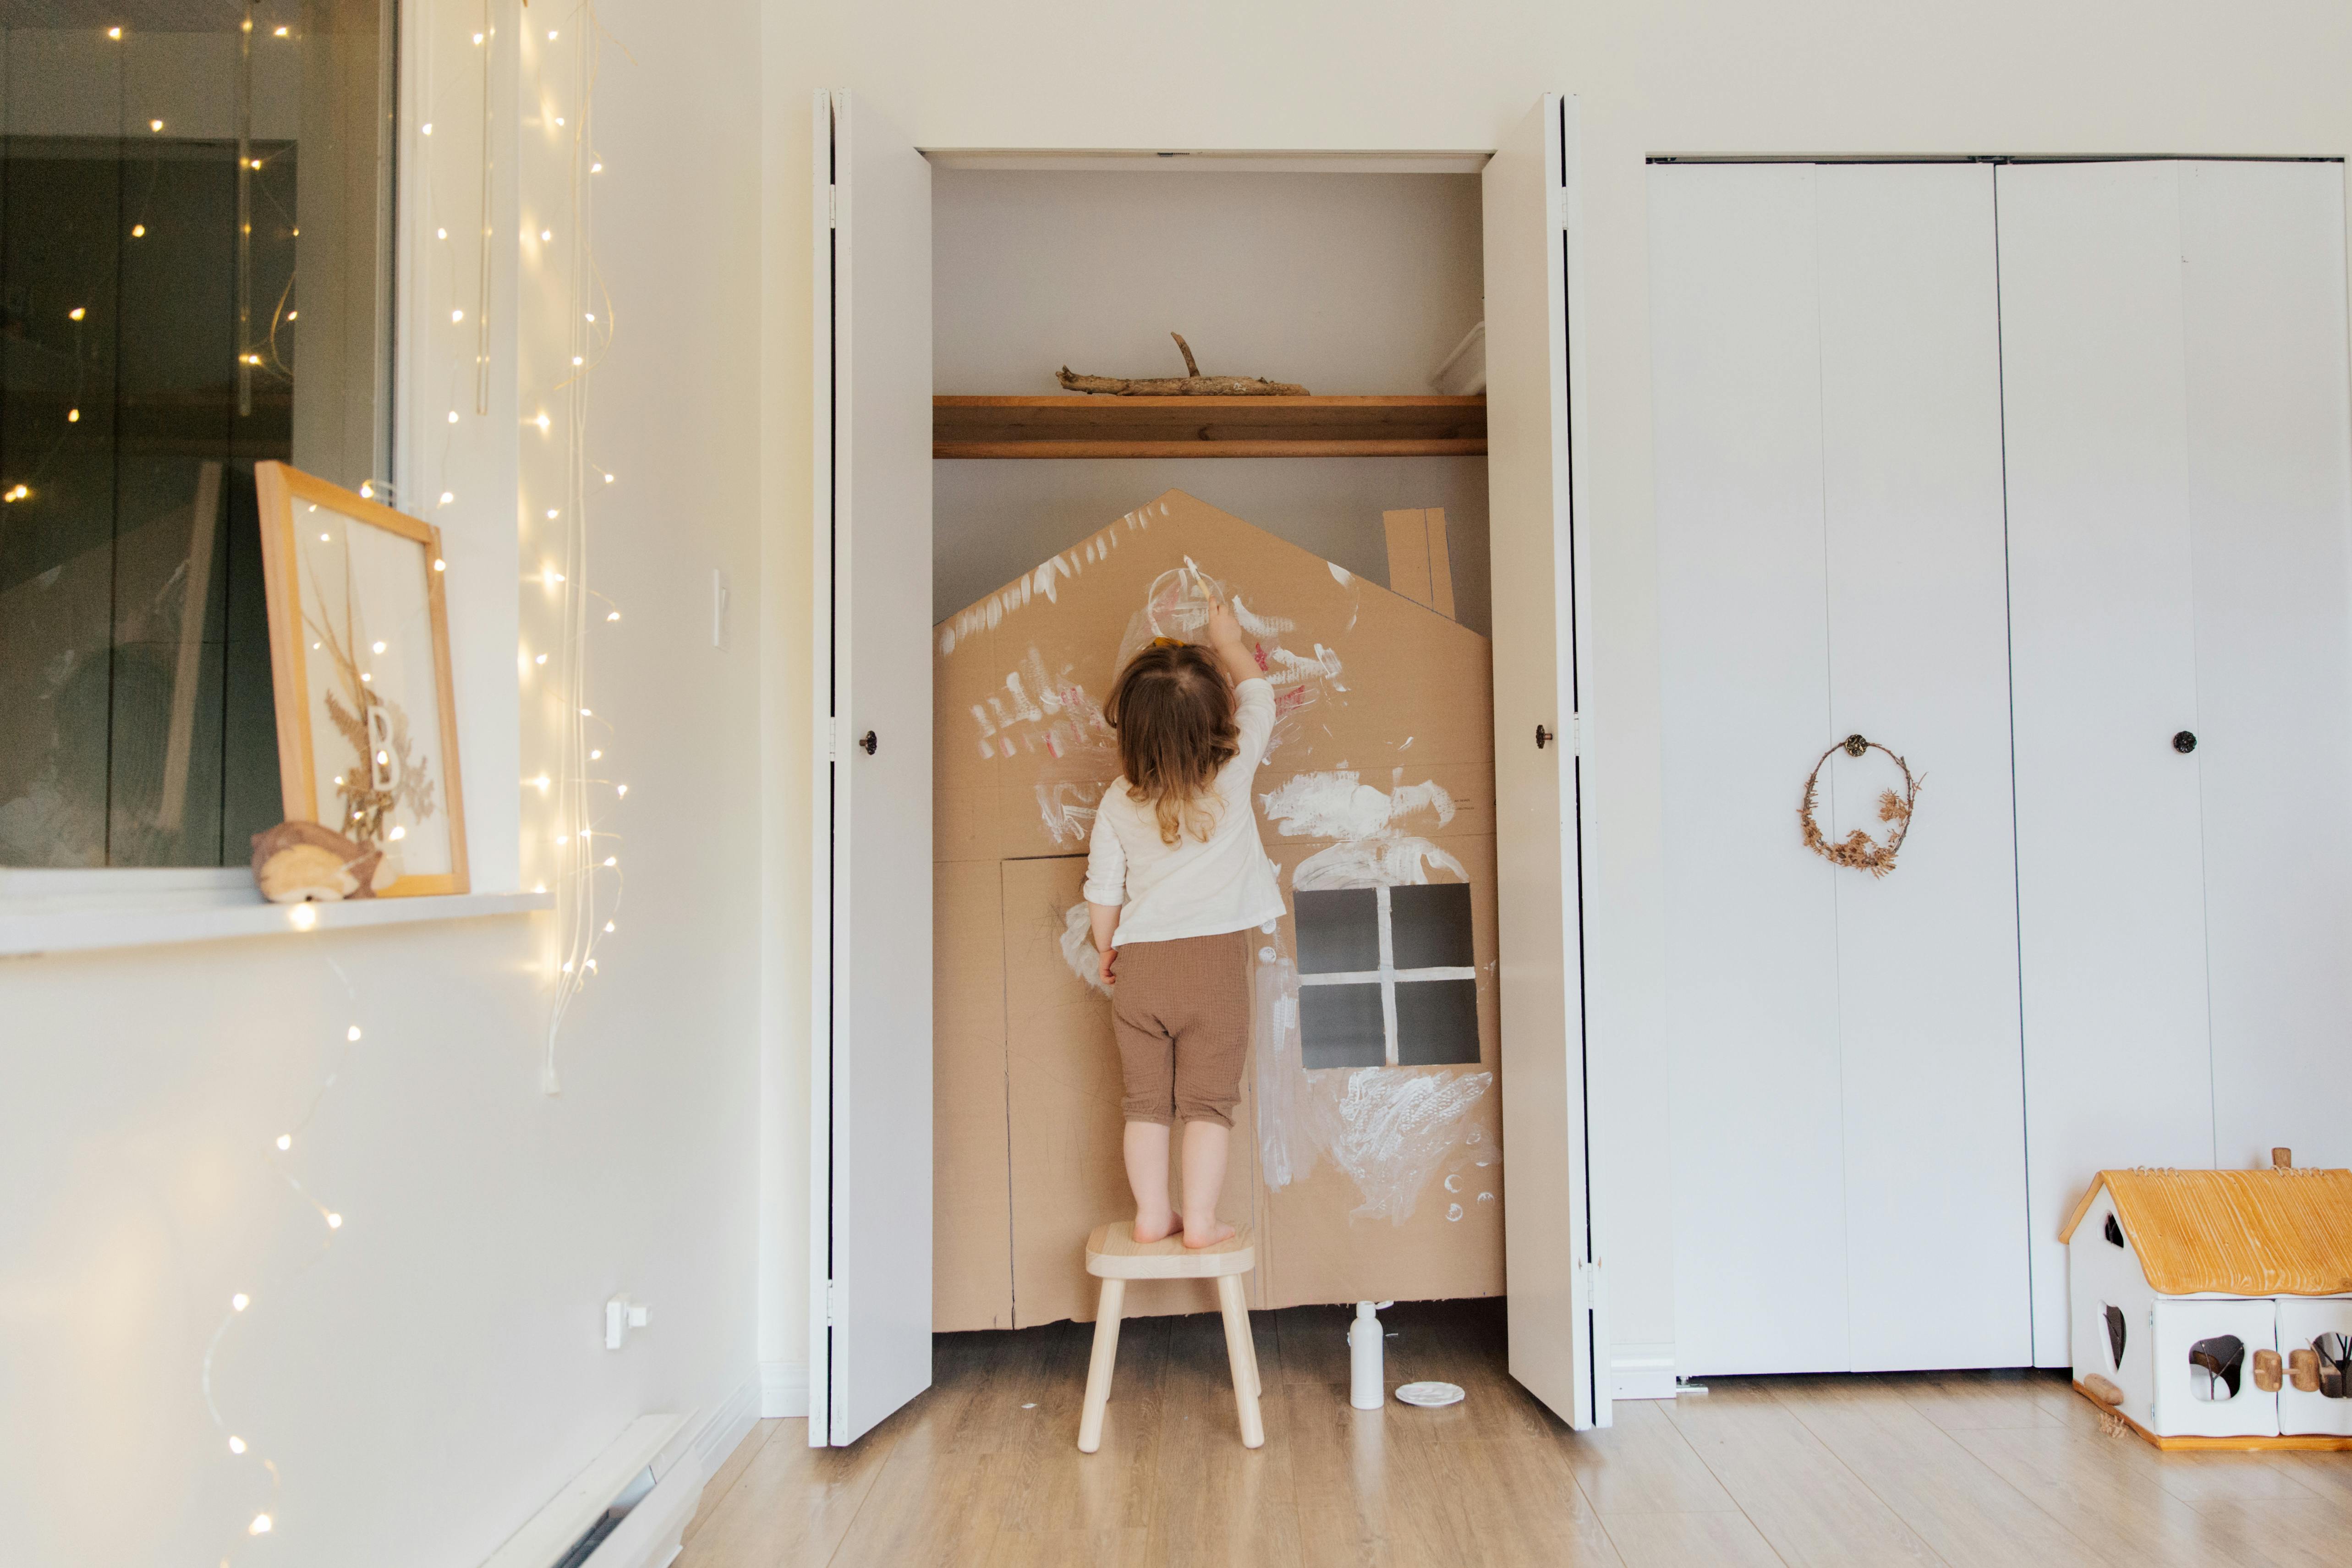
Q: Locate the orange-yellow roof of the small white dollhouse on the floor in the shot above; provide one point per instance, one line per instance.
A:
(2240, 1233)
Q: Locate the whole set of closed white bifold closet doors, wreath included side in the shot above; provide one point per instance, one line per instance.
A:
(2043, 478)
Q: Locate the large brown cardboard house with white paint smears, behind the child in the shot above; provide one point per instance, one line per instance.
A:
(1365, 1148)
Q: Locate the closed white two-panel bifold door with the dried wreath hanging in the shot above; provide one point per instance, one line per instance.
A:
(1847, 1106)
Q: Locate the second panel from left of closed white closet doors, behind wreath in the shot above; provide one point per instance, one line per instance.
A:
(1927, 958)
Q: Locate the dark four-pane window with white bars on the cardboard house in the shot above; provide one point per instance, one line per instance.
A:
(1387, 977)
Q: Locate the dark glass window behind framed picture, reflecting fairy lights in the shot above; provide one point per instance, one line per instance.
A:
(194, 279)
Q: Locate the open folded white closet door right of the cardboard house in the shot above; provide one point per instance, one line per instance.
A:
(1542, 725)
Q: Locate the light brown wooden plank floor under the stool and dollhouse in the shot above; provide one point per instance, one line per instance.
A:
(1935, 1468)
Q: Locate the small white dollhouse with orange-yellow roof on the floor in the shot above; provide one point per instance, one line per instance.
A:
(2214, 1308)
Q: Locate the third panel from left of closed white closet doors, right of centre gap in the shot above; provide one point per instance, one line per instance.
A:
(2104, 669)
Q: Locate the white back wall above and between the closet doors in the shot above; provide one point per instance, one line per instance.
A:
(1673, 76)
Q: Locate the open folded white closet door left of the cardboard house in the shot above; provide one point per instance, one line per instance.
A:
(871, 840)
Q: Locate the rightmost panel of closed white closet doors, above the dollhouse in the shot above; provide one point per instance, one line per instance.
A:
(2271, 492)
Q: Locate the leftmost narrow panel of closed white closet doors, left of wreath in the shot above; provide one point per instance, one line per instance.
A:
(1760, 1240)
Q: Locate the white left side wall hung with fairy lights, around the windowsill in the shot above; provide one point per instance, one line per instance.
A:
(436, 1374)
